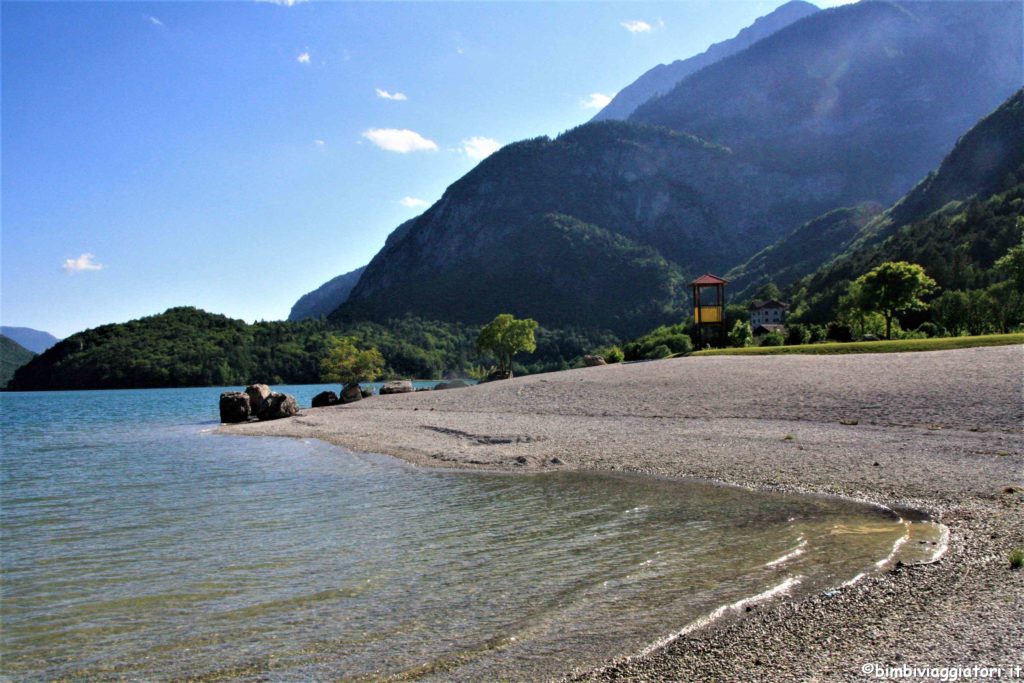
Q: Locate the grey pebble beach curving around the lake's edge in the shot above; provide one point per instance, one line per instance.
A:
(938, 433)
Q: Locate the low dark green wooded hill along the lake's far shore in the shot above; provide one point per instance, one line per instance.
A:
(190, 348)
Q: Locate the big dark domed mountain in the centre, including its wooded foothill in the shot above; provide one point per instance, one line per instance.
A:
(518, 225)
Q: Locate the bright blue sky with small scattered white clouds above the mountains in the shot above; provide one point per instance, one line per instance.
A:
(234, 156)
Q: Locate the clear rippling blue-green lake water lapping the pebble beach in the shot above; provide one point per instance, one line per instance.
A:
(138, 543)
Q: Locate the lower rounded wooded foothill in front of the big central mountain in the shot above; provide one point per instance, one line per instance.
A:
(558, 269)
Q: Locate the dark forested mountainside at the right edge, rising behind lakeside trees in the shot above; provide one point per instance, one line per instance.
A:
(956, 223)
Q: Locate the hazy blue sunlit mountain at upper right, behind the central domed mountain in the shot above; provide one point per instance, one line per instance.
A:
(869, 97)
